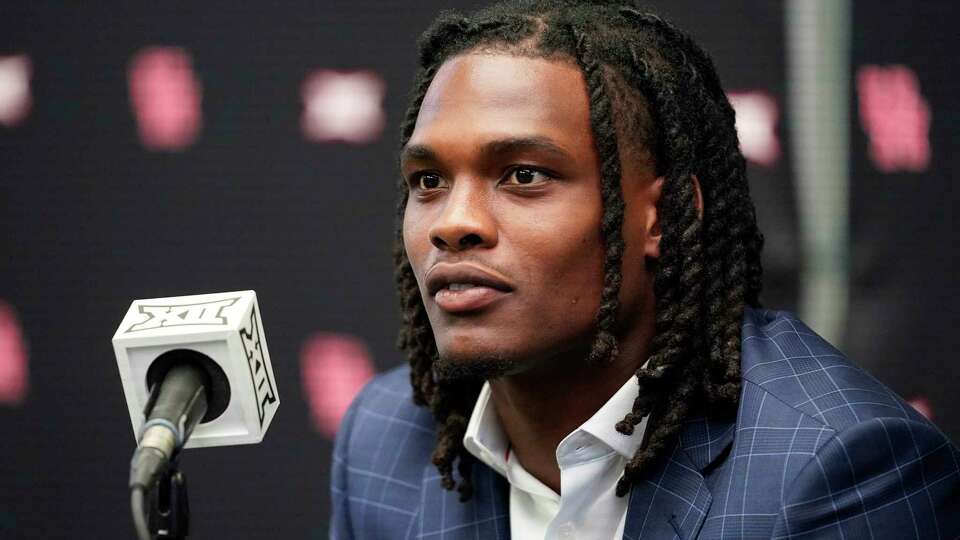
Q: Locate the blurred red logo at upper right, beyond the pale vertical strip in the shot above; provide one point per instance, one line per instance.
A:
(896, 118)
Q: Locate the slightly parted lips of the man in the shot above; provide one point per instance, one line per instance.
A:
(464, 287)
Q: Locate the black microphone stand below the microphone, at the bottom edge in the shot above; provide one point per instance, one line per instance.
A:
(168, 511)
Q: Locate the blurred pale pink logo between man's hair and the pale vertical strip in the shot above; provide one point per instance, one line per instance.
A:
(757, 113)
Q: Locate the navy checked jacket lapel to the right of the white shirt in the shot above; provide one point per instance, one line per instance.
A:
(674, 499)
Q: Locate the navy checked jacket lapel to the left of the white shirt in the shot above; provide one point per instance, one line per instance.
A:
(443, 517)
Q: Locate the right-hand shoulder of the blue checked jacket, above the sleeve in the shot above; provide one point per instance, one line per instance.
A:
(784, 358)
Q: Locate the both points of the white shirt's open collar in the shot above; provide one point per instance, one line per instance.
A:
(486, 440)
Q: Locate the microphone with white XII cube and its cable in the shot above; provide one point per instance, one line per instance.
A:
(196, 372)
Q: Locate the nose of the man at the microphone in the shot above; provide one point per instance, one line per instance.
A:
(466, 221)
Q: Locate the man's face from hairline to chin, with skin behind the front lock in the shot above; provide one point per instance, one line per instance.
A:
(502, 224)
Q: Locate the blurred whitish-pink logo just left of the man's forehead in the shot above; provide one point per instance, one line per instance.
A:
(342, 106)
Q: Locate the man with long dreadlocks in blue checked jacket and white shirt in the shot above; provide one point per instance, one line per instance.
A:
(578, 264)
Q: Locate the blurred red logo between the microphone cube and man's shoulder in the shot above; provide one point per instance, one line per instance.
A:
(333, 369)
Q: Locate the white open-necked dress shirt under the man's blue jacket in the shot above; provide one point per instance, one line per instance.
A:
(591, 461)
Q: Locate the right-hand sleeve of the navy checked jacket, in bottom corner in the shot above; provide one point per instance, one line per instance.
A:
(881, 478)
